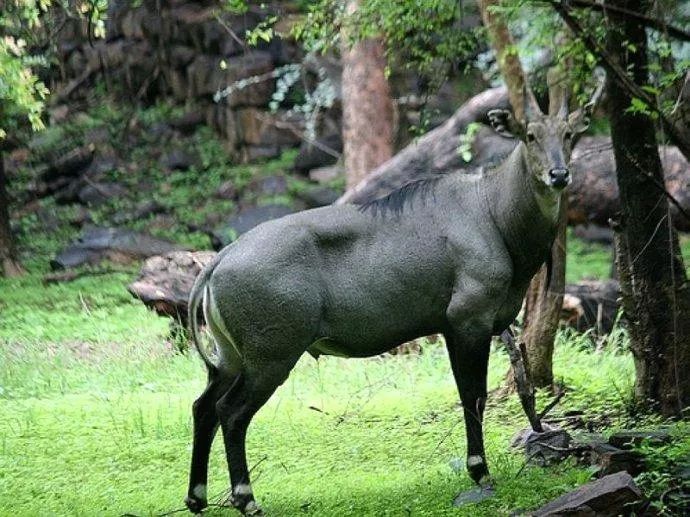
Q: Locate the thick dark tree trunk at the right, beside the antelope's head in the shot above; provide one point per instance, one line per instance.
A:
(653, 278)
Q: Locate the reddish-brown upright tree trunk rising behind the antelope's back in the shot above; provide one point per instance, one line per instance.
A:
(368, 132)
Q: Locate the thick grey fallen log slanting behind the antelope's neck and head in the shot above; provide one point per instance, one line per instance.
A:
(592, 198)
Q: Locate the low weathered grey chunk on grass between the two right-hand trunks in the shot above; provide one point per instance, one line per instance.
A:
(591, 305)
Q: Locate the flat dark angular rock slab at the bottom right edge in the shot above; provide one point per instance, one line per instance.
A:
(611, 495)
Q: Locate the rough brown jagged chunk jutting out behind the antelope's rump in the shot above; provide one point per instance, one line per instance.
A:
(165, 281)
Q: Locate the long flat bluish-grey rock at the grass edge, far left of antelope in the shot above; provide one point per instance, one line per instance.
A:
(116, 244)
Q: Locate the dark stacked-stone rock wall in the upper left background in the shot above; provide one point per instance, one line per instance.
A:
(190, 51)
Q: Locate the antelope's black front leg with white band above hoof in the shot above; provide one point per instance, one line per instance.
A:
(469, 361)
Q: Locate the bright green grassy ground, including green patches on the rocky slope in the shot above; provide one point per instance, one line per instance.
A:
(95, 400)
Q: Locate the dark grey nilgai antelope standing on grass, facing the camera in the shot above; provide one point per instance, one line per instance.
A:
(452, 254)
